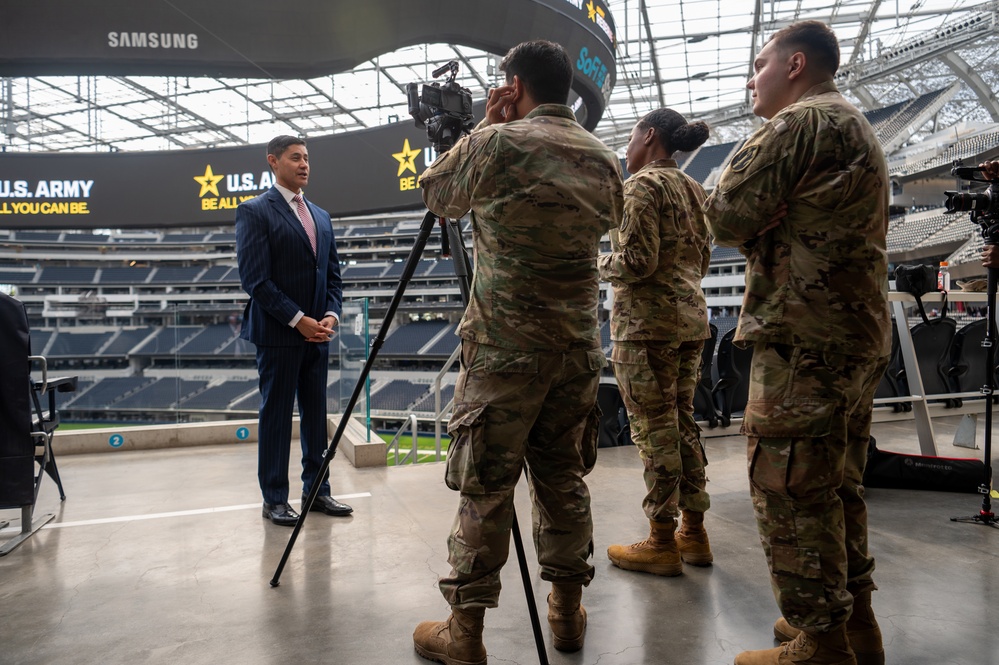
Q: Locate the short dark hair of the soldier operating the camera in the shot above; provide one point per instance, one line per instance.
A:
(543, 67)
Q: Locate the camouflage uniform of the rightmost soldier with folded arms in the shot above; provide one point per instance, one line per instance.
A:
(816, 309)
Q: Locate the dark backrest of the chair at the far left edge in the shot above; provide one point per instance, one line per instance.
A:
(17, 449)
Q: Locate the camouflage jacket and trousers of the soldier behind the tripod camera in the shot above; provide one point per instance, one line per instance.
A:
(543, 191)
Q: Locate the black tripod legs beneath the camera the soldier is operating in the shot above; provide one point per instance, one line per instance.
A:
(451, 236)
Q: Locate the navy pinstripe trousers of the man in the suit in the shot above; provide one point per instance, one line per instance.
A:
(287, 371)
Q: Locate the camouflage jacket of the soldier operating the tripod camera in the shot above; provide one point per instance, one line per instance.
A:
(542, 191)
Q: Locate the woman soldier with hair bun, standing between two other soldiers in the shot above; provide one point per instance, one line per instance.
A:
(658, 324)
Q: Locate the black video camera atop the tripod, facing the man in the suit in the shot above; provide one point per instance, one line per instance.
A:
(445, 110)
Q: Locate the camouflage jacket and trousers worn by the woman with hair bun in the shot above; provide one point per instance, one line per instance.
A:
(658, 324)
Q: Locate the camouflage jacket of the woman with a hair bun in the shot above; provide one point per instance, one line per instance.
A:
(658, 258)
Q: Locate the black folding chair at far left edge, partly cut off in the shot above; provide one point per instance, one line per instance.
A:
(26, 429)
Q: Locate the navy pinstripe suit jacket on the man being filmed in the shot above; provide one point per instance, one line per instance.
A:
(279, 272)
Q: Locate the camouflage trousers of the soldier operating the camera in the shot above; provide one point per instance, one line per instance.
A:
(513, 407)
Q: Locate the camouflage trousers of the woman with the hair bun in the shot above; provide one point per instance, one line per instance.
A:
(657, 382)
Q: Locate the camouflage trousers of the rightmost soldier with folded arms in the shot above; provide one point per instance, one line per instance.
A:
(809, 422)
